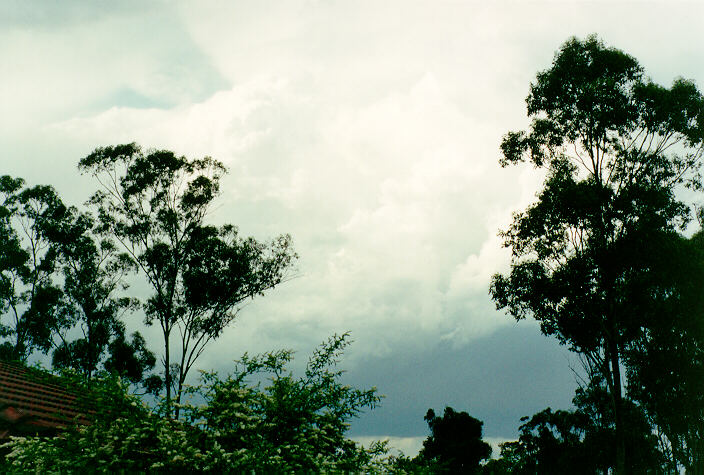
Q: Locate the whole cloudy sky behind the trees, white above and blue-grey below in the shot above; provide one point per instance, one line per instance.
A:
(367, 130)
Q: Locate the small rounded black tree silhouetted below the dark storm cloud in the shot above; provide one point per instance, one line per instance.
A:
(455, 444)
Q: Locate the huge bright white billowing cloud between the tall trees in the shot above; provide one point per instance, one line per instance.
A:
(387, 206)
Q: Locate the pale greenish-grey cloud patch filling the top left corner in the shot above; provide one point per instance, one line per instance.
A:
(85, 60)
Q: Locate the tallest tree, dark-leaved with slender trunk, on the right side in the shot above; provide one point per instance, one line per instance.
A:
(616, 146)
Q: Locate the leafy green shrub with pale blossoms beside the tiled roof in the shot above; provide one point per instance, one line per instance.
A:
(288, 425)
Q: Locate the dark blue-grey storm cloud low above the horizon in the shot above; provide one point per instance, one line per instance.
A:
(499, 378)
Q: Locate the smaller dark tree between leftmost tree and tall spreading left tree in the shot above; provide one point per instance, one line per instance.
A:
(93, 272)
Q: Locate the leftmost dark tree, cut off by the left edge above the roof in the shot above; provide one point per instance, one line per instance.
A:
(28, 259)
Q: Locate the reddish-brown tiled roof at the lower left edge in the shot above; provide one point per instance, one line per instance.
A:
(32, 402)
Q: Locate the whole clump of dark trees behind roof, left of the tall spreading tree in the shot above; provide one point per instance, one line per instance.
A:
(57, 280)
